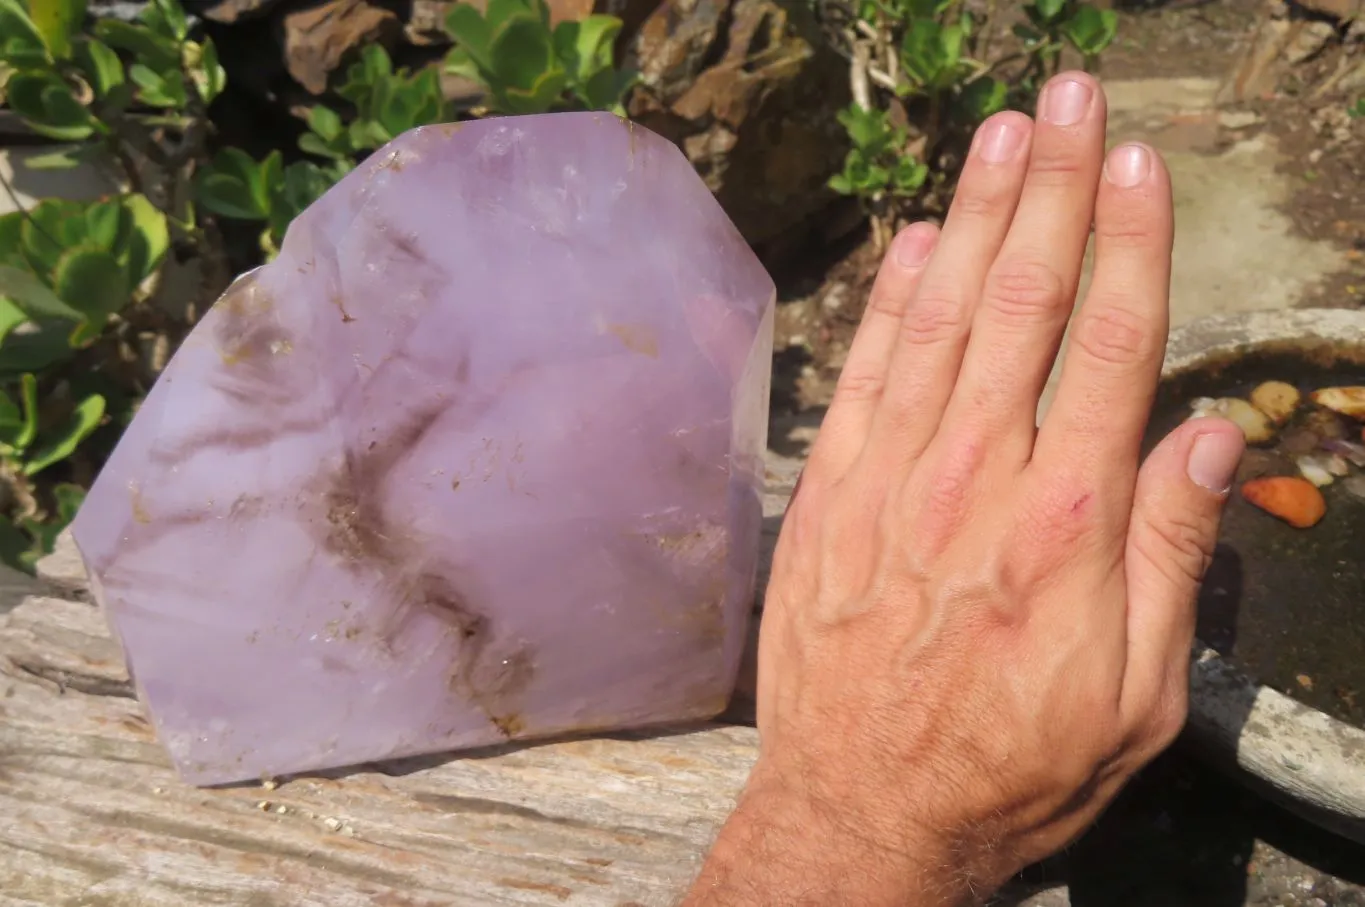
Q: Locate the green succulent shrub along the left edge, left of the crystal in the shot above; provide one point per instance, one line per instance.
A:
(74, 275)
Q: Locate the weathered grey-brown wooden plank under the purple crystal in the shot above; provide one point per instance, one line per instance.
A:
(92, 813)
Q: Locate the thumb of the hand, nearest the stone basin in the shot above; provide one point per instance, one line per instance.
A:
(1177, 509)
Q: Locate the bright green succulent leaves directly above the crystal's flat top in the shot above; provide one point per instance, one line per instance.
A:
(529, 68)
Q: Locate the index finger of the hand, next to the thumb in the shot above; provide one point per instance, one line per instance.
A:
(1095, 427)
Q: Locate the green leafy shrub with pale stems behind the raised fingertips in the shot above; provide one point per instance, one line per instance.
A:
(926, 76)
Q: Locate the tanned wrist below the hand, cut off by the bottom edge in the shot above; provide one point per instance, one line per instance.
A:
(780, 849)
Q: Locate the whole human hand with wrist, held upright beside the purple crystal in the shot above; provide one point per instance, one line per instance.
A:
(977, 630)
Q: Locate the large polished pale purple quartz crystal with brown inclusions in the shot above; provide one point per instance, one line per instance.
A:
(478, 457)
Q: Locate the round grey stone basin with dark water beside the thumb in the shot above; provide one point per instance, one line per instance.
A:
(1282, 615)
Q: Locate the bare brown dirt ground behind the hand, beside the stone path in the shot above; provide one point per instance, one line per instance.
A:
(1323, 152)
